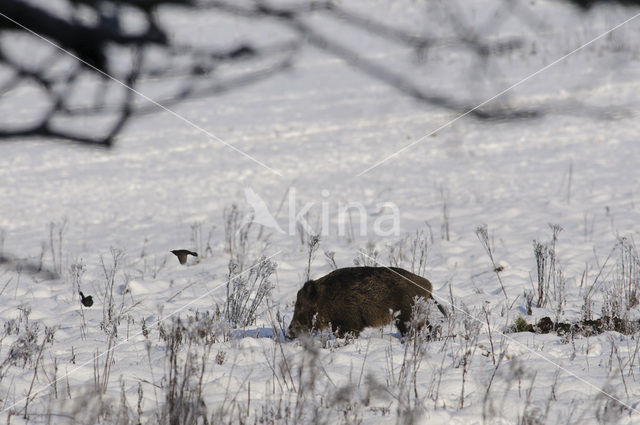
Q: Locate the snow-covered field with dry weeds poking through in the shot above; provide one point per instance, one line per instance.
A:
(105, 220)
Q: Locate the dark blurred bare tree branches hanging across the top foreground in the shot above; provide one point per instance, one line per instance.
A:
(192, 71)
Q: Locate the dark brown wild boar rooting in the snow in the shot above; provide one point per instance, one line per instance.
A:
(353, 298)
